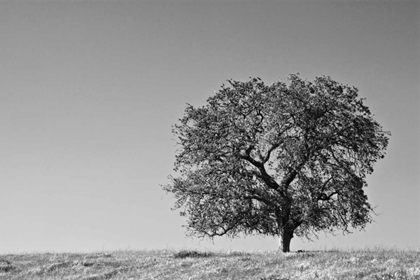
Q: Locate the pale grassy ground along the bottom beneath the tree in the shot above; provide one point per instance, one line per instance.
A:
(187, 264)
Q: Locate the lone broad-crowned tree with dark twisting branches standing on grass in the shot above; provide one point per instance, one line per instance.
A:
(281, 160)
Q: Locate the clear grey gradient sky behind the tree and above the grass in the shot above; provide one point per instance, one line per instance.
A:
(89, 91)
